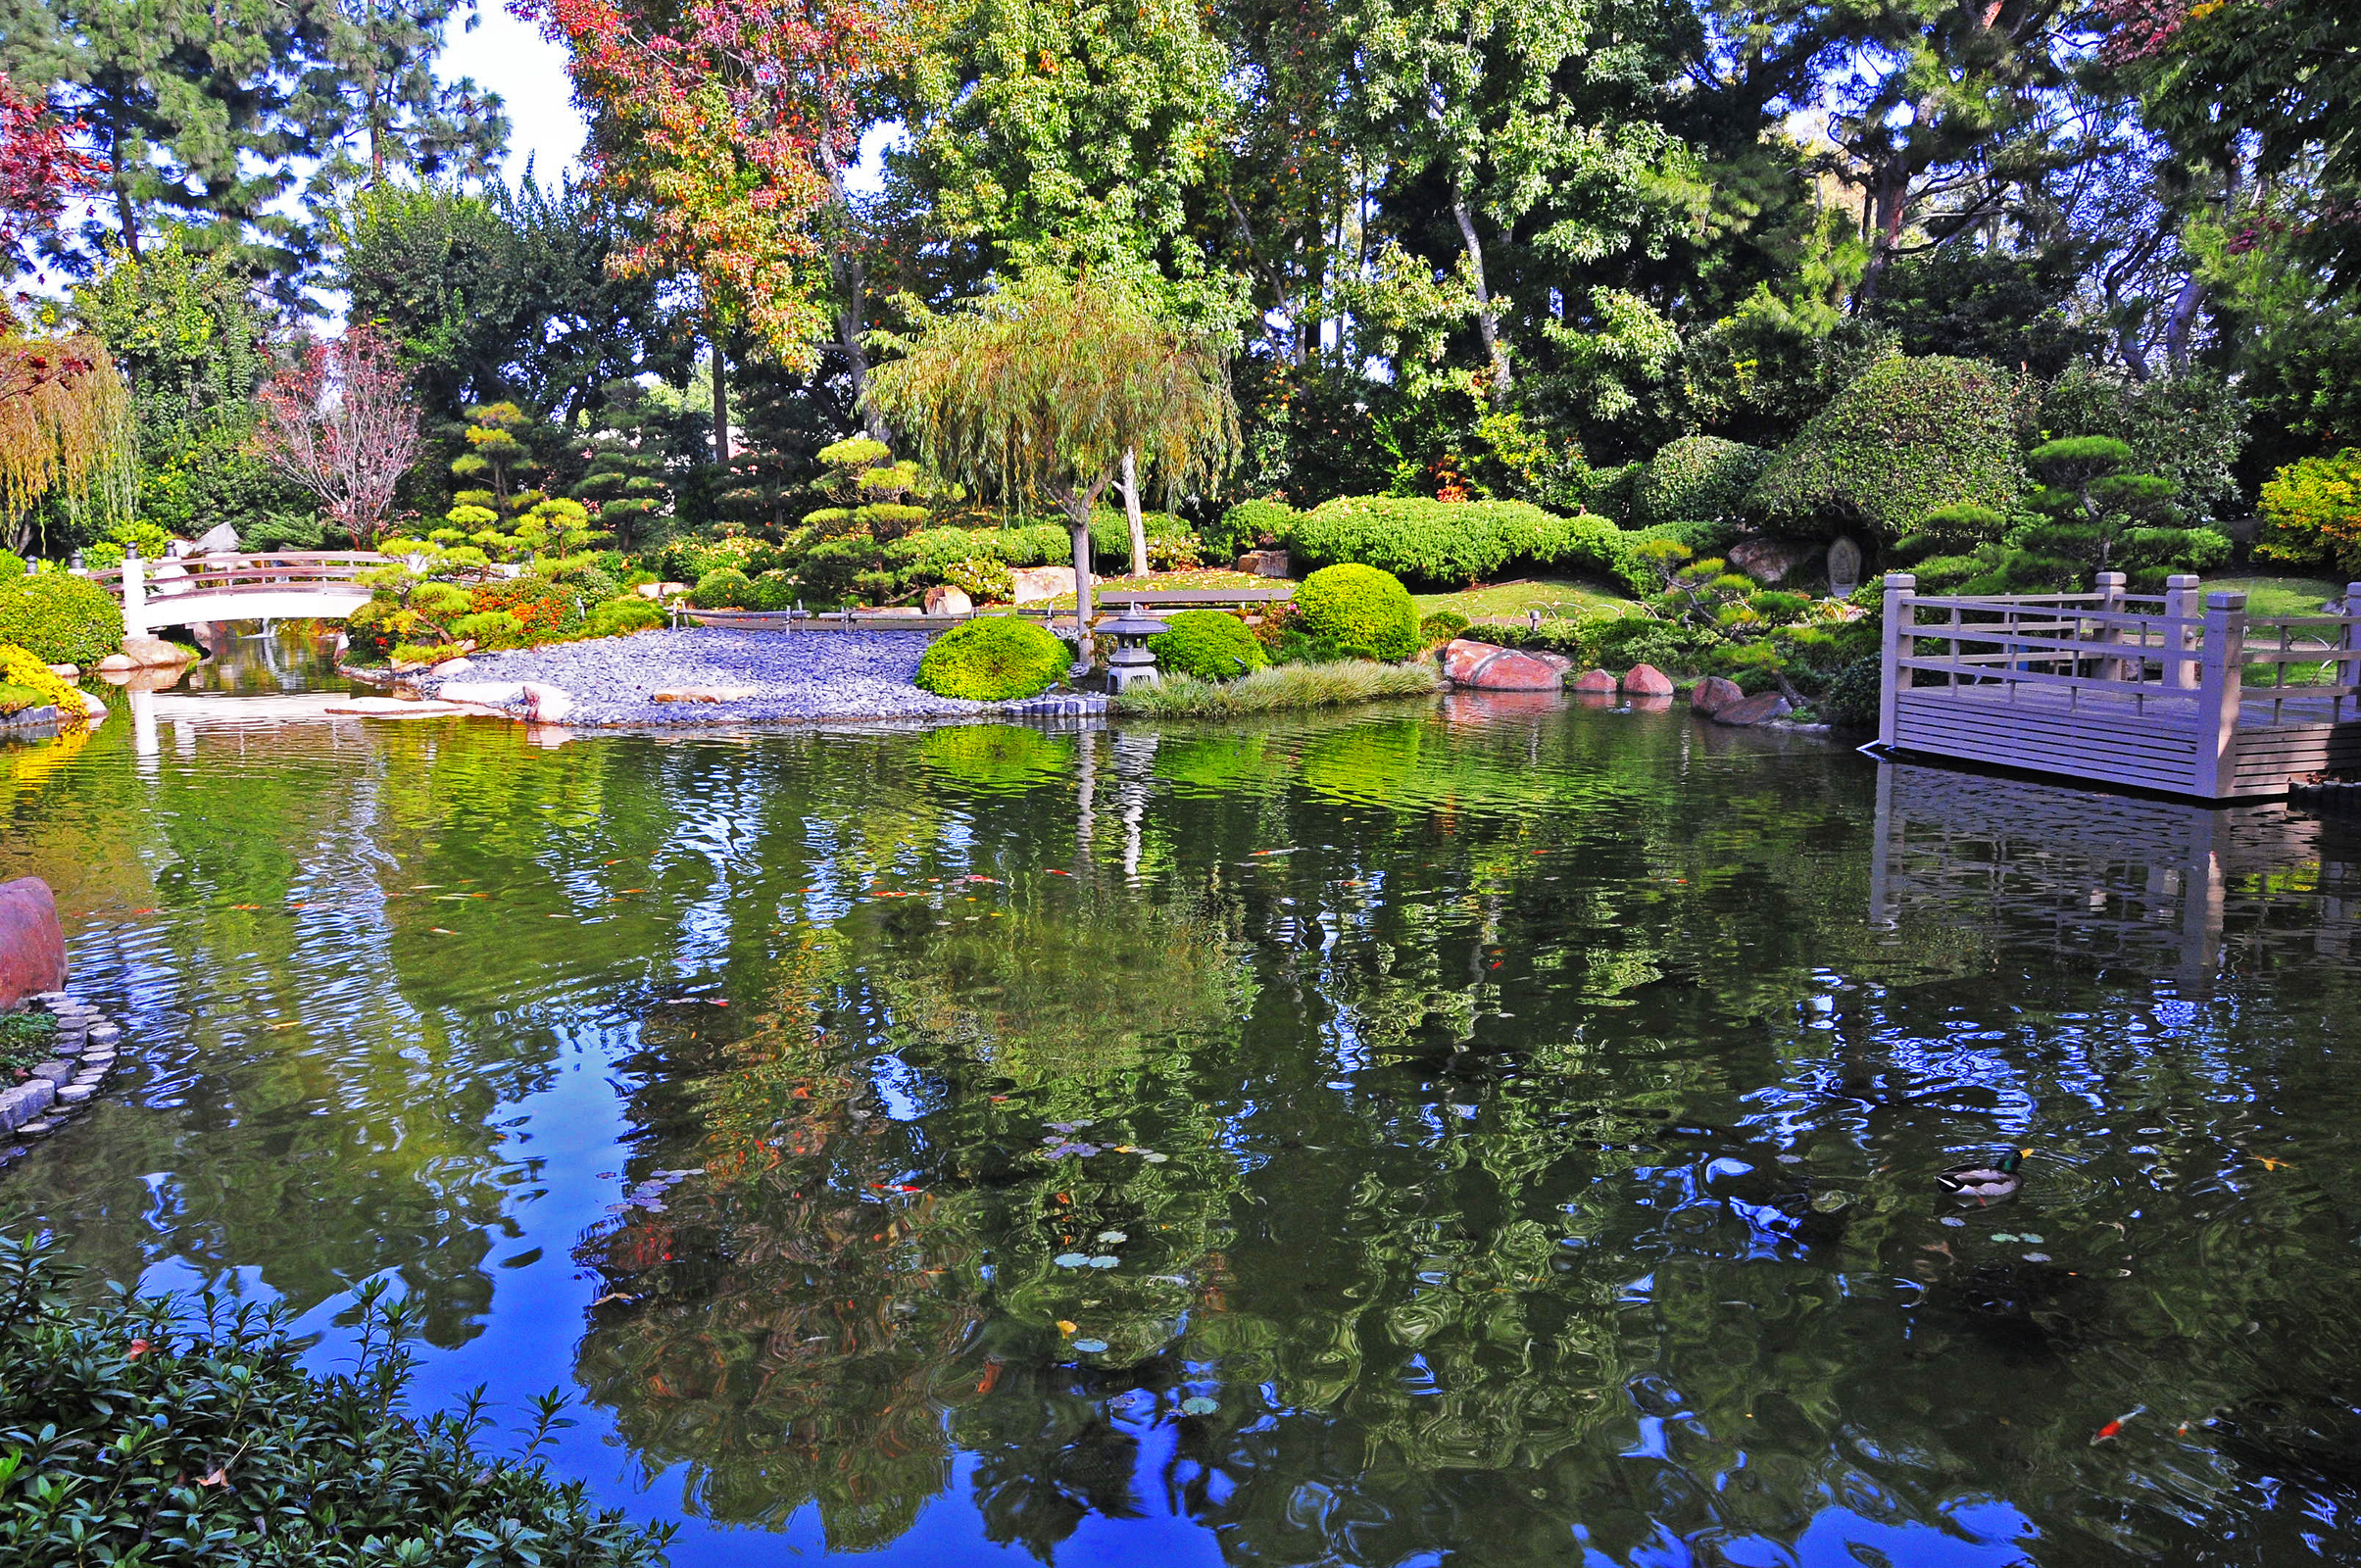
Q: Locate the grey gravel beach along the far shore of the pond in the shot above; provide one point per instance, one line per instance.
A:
(818, 674)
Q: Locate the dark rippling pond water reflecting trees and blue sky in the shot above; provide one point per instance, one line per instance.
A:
(1467, 1132)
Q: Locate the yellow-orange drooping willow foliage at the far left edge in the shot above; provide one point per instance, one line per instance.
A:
(65, 433)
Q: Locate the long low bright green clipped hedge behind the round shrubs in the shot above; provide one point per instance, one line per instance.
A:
(1456, 542)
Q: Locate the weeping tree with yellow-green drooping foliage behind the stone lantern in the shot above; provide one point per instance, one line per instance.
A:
(1047, 384)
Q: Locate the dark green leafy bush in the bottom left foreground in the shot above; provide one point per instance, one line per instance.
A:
(140, 1430)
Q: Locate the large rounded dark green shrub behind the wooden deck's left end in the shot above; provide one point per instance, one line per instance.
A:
(1902, 443)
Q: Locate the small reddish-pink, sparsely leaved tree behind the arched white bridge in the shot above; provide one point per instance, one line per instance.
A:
(341, 424)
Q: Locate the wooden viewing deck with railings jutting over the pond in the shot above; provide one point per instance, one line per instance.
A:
(2180, 693)
